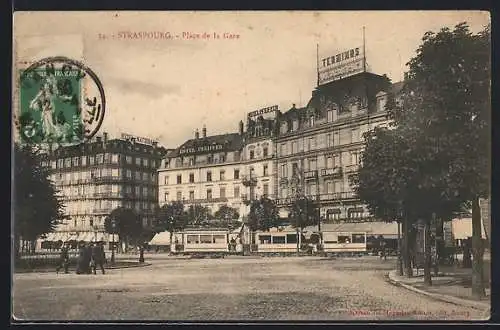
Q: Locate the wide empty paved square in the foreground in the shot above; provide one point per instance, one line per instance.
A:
(290, 288)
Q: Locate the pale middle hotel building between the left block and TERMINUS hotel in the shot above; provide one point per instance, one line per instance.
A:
(227, 169)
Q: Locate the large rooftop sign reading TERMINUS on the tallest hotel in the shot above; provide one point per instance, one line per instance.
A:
(342, 65)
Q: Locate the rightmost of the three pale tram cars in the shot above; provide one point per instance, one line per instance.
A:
(335, 243)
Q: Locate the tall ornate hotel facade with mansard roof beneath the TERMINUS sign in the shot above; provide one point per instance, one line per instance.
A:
(320, 145)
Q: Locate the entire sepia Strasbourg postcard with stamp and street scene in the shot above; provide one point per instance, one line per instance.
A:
(251, 166)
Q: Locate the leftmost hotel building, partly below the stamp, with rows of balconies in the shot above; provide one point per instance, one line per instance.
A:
(96, 177)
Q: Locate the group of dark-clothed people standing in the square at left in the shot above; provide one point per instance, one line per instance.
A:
(90, 256)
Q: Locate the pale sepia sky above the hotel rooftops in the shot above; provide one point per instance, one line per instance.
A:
(164, 89)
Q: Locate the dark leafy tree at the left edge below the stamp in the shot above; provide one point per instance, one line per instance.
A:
(37, 209)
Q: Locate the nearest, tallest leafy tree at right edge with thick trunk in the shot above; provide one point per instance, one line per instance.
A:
(445, 117)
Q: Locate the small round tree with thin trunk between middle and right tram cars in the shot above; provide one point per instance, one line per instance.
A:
(303, 213)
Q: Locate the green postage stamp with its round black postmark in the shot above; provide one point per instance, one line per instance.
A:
(61, 101)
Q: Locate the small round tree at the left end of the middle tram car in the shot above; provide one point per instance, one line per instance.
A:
(263, 215)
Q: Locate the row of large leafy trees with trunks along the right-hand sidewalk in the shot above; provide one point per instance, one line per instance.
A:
(434, 160)
